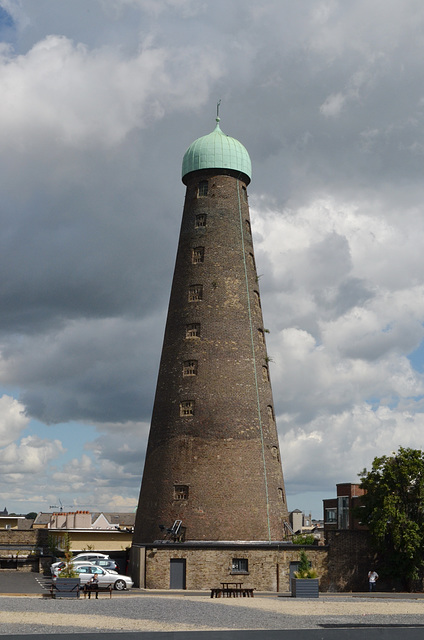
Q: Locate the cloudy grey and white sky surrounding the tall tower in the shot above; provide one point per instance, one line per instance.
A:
(99, 101)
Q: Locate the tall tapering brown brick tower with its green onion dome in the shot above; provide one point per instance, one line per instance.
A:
(213, 459)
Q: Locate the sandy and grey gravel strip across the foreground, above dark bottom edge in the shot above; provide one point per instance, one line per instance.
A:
(20, 615)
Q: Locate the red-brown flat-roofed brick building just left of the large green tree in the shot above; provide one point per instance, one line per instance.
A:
(339, 512)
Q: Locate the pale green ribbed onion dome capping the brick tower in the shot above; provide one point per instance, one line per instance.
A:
(217, 151)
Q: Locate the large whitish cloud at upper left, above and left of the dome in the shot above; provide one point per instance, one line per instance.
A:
(63, 91)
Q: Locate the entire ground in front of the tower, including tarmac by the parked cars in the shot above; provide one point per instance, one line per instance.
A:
(175, 615)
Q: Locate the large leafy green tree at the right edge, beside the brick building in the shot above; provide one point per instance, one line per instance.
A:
(393, 510)
